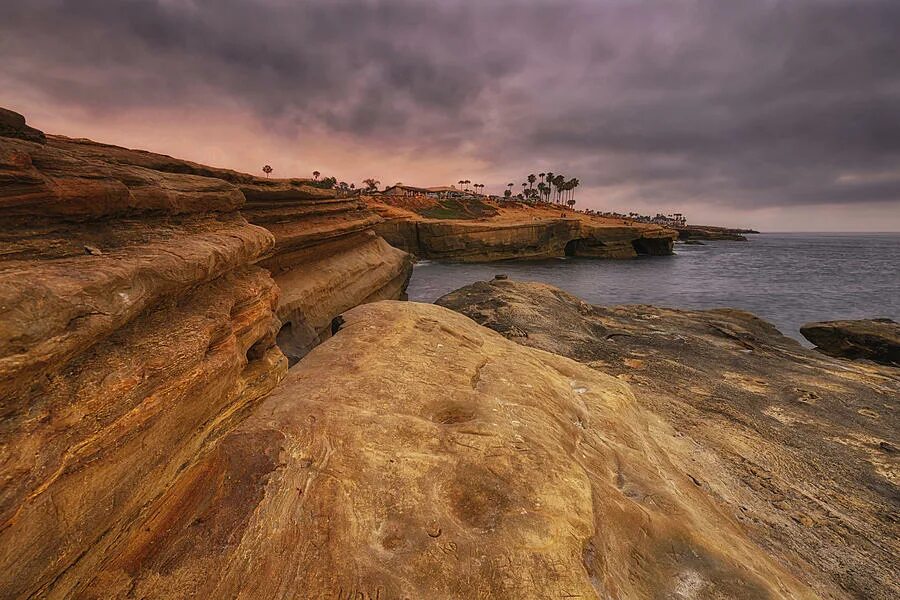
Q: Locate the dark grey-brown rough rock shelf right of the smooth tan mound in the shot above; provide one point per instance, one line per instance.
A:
(798, 448)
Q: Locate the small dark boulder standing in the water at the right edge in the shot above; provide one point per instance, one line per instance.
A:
(874, 339)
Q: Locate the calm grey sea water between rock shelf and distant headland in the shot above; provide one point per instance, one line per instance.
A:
(788, 279)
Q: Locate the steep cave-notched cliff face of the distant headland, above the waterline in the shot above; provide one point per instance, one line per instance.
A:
(484, 241)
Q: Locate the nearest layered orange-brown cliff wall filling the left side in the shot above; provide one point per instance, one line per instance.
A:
(134, 331)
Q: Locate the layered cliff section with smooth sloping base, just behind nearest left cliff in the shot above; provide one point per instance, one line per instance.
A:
(327, 259)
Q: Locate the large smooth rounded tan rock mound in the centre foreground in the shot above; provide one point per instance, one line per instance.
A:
(418, 455)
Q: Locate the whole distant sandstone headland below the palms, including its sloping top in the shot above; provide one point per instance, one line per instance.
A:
(513, 230)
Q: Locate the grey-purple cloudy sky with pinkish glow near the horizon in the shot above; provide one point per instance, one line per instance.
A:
(778, 114)
